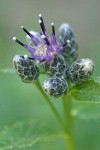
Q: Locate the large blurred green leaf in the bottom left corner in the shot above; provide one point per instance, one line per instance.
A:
(26, 134)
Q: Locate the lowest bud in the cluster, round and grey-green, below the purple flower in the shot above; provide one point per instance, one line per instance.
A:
(56, 87)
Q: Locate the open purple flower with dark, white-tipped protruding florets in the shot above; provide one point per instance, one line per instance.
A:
(45, 50)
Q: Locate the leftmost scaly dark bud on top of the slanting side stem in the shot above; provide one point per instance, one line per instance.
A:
(26, 68)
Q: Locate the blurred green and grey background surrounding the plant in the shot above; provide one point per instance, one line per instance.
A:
(20, 101)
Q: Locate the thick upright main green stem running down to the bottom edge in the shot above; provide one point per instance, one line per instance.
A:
(69, 122)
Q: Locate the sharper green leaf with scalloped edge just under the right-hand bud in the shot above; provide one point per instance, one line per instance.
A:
(88, 92)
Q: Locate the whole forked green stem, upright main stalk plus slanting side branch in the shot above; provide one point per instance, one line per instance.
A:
(69, 119)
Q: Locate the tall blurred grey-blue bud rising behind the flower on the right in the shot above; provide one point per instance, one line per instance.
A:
(66, 37)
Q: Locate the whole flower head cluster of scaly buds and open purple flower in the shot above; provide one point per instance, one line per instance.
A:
(58, 59)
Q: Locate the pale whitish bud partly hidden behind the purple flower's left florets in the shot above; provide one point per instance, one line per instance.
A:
(29, 40)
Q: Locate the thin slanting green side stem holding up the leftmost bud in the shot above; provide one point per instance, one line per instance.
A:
(50, 104)
